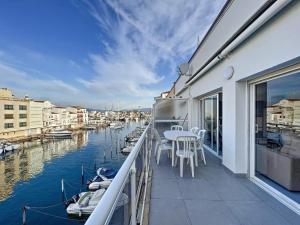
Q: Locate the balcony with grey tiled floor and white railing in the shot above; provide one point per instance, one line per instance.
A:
(214, 196)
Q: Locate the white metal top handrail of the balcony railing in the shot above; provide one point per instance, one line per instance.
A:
(106, 206)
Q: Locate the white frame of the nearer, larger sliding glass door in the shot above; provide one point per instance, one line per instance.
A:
(252, 131)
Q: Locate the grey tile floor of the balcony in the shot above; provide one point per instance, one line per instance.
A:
(214, 196)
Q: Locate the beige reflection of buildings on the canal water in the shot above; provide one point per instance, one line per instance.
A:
(25, 164)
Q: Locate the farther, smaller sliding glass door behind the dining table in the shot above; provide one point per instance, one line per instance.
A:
(212, 120)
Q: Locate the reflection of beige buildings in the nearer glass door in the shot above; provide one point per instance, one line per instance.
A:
(285, 112)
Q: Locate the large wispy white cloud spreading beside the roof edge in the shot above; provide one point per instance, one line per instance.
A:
(144, 35)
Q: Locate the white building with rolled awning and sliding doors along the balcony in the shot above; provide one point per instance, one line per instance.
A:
(242, 85)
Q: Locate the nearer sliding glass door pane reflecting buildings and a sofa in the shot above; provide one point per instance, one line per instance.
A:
(277, 134)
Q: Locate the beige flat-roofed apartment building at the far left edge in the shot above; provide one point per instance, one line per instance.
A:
(14, 113)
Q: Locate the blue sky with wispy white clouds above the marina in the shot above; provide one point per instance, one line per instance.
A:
(99, 53)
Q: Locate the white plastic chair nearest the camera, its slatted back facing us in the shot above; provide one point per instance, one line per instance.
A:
(185, 145)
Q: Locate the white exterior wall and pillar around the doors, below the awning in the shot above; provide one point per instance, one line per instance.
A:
(265, 49)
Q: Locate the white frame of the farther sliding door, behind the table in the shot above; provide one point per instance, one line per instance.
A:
(202, 122)
